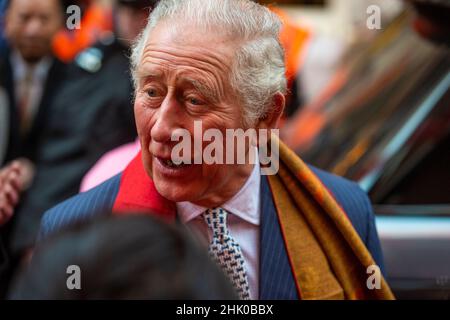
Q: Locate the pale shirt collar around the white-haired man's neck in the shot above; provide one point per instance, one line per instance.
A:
(245, 204)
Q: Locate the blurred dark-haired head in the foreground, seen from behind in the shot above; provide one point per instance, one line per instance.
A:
(128, 257)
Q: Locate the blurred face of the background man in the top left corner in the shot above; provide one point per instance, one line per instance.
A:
(31, 25)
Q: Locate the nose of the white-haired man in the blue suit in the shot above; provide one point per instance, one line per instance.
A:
(167, 120)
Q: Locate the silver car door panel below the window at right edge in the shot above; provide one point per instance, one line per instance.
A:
(416, 247)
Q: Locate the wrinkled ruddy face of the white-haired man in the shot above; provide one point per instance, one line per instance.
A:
(182, 80)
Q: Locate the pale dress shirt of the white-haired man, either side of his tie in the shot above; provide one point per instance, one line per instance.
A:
(243, 223)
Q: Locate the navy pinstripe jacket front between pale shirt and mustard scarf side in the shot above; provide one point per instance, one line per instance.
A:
(276, 280)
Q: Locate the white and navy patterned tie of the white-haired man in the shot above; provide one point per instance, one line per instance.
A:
(226, 252)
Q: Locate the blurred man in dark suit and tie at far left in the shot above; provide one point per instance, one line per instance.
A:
(29, 72)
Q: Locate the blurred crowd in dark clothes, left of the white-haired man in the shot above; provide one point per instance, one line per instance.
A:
(66, 100)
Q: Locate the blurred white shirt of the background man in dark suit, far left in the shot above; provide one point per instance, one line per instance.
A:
(39, 72)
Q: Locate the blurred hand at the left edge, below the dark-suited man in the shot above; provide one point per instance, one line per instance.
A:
(14, 178)
